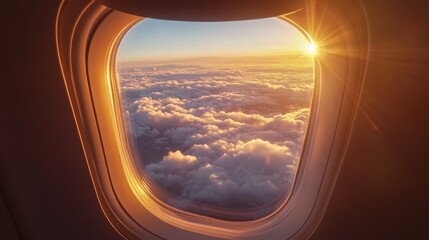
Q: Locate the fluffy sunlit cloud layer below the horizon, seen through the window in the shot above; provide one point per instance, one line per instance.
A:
(223, 138)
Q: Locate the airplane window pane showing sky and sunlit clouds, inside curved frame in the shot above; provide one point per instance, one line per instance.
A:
(216, 113)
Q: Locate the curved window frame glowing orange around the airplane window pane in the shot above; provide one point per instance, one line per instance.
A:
(87, 40)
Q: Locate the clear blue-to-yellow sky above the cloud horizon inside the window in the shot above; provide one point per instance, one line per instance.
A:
(153, 39)
